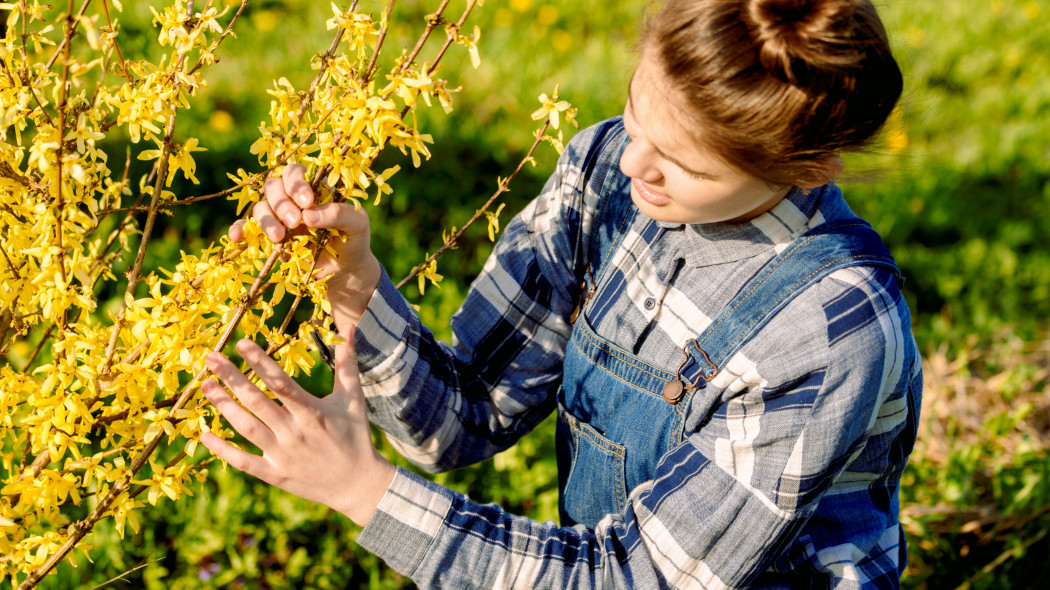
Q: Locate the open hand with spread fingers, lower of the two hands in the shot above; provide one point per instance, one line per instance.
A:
(320, 450)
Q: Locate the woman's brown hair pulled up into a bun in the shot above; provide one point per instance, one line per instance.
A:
(779, 87)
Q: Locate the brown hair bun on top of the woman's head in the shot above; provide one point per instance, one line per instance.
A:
(797, 37)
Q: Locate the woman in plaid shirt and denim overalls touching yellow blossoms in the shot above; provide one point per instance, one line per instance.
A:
(738, 397)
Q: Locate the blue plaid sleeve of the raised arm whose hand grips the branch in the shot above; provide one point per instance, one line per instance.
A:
(446, 406)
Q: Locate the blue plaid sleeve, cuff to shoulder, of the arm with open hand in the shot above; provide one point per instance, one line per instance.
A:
(786, 483)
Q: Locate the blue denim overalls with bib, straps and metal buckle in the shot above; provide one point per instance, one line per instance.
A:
(618, 414)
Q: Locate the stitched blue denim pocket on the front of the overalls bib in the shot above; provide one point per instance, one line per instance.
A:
(596, 484)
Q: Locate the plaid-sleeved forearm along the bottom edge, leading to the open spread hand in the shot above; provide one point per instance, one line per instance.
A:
(671, 535)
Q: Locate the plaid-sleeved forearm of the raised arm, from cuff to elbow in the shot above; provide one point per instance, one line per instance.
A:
(438, 404)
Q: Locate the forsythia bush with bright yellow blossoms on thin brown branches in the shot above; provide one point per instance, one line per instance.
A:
(99, 412)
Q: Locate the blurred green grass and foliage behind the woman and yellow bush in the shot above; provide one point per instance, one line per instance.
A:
(963, 206)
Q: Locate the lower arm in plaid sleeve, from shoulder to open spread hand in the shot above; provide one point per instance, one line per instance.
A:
(725, 507)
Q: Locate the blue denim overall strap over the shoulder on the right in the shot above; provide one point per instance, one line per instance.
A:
(809, 259)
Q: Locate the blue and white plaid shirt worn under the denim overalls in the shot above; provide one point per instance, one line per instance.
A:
(719, 514)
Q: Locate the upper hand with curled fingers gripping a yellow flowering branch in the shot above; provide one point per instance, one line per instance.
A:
(354, 271)
